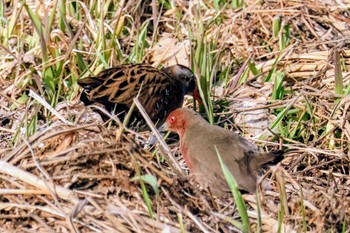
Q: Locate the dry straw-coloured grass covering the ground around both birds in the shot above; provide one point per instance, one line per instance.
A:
(78, 177)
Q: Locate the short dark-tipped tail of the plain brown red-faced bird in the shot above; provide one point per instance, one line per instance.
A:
(266, 159)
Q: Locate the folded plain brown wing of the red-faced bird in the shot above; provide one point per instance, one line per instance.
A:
(233, 150)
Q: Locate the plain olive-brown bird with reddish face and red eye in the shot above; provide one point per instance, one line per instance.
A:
(198, 143)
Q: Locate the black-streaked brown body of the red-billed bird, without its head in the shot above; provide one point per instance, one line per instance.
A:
(158, 93)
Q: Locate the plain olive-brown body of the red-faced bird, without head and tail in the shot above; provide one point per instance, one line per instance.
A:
(232, 149)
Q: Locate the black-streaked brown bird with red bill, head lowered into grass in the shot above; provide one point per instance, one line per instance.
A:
(160, 91)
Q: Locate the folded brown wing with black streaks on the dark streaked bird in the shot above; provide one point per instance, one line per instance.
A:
(122, 83)
